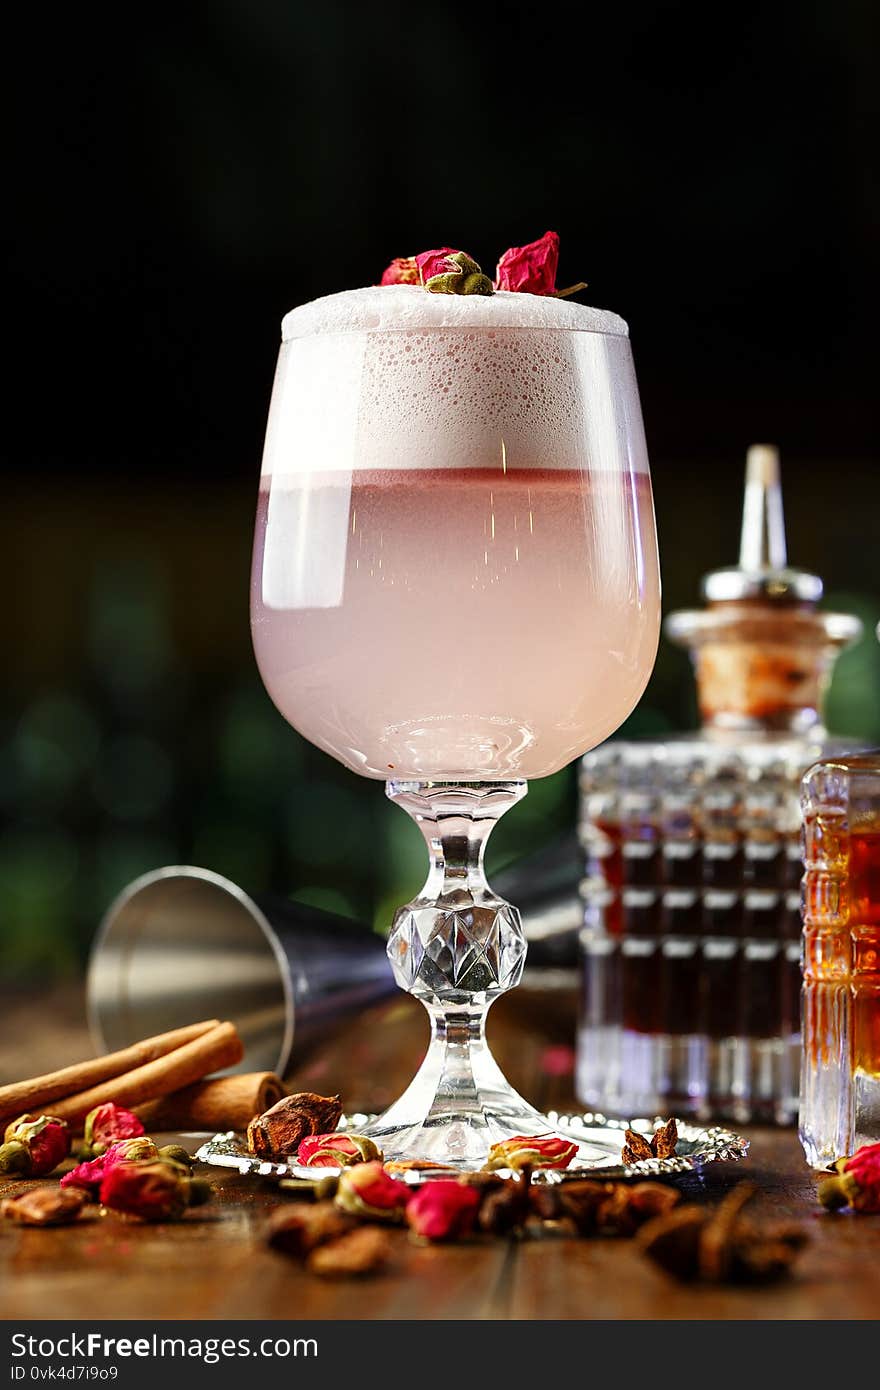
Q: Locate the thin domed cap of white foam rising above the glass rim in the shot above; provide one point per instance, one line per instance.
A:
(387, 308)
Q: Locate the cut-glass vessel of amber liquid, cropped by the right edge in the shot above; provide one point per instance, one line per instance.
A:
(840, 1074)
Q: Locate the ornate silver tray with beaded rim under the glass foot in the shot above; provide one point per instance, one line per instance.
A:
(697, 1147)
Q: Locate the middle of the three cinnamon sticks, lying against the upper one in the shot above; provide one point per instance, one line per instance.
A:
(209, 1053)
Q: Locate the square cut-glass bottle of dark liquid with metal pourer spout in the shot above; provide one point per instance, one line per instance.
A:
(693, 933)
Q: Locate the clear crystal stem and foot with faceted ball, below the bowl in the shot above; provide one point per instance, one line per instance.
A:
(457, 947)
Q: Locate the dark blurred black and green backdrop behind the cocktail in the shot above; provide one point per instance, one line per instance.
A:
(181, 179)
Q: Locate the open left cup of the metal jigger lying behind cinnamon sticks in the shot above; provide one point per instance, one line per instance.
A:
(184, 945)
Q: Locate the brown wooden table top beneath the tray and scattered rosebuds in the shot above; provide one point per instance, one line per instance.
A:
(213, 1266)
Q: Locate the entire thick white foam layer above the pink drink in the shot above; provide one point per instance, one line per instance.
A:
(366, 382)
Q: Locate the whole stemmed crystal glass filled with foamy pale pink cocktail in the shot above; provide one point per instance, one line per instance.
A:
(455, 590)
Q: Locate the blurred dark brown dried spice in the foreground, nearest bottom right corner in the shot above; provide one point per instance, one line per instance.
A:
(722, 1246)
